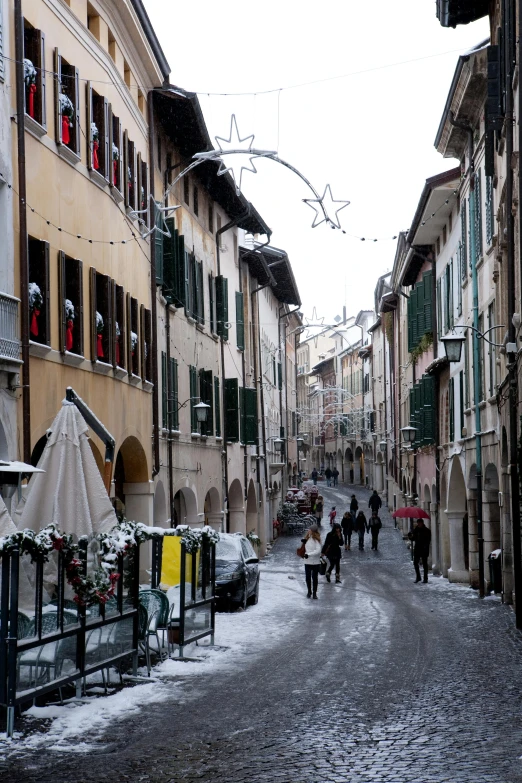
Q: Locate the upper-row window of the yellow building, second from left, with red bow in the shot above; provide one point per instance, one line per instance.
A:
(67, 103)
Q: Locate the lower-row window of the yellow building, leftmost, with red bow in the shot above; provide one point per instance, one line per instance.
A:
(39, 292)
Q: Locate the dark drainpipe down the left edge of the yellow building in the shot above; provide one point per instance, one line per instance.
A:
(22, 218)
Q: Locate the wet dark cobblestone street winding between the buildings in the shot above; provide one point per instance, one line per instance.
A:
(379, 680)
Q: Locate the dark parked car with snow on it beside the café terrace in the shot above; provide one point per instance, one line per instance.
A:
(237, 571)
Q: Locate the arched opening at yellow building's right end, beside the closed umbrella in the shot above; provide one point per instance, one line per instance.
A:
(133, 492)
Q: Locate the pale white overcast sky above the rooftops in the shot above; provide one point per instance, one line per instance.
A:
(369, 135)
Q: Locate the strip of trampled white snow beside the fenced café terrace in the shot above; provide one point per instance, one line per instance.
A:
(238, 637)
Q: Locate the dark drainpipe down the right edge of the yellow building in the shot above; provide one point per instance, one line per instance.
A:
(153, 307)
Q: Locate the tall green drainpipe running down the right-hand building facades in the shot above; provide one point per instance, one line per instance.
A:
(476, 344)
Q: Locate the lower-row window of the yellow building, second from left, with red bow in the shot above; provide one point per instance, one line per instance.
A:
(70, 278)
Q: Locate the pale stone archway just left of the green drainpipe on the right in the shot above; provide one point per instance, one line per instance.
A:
(458, 523)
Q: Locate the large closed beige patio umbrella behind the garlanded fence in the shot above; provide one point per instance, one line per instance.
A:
(70, 493)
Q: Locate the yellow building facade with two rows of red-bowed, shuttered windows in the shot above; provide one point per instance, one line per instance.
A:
(87, 161)
